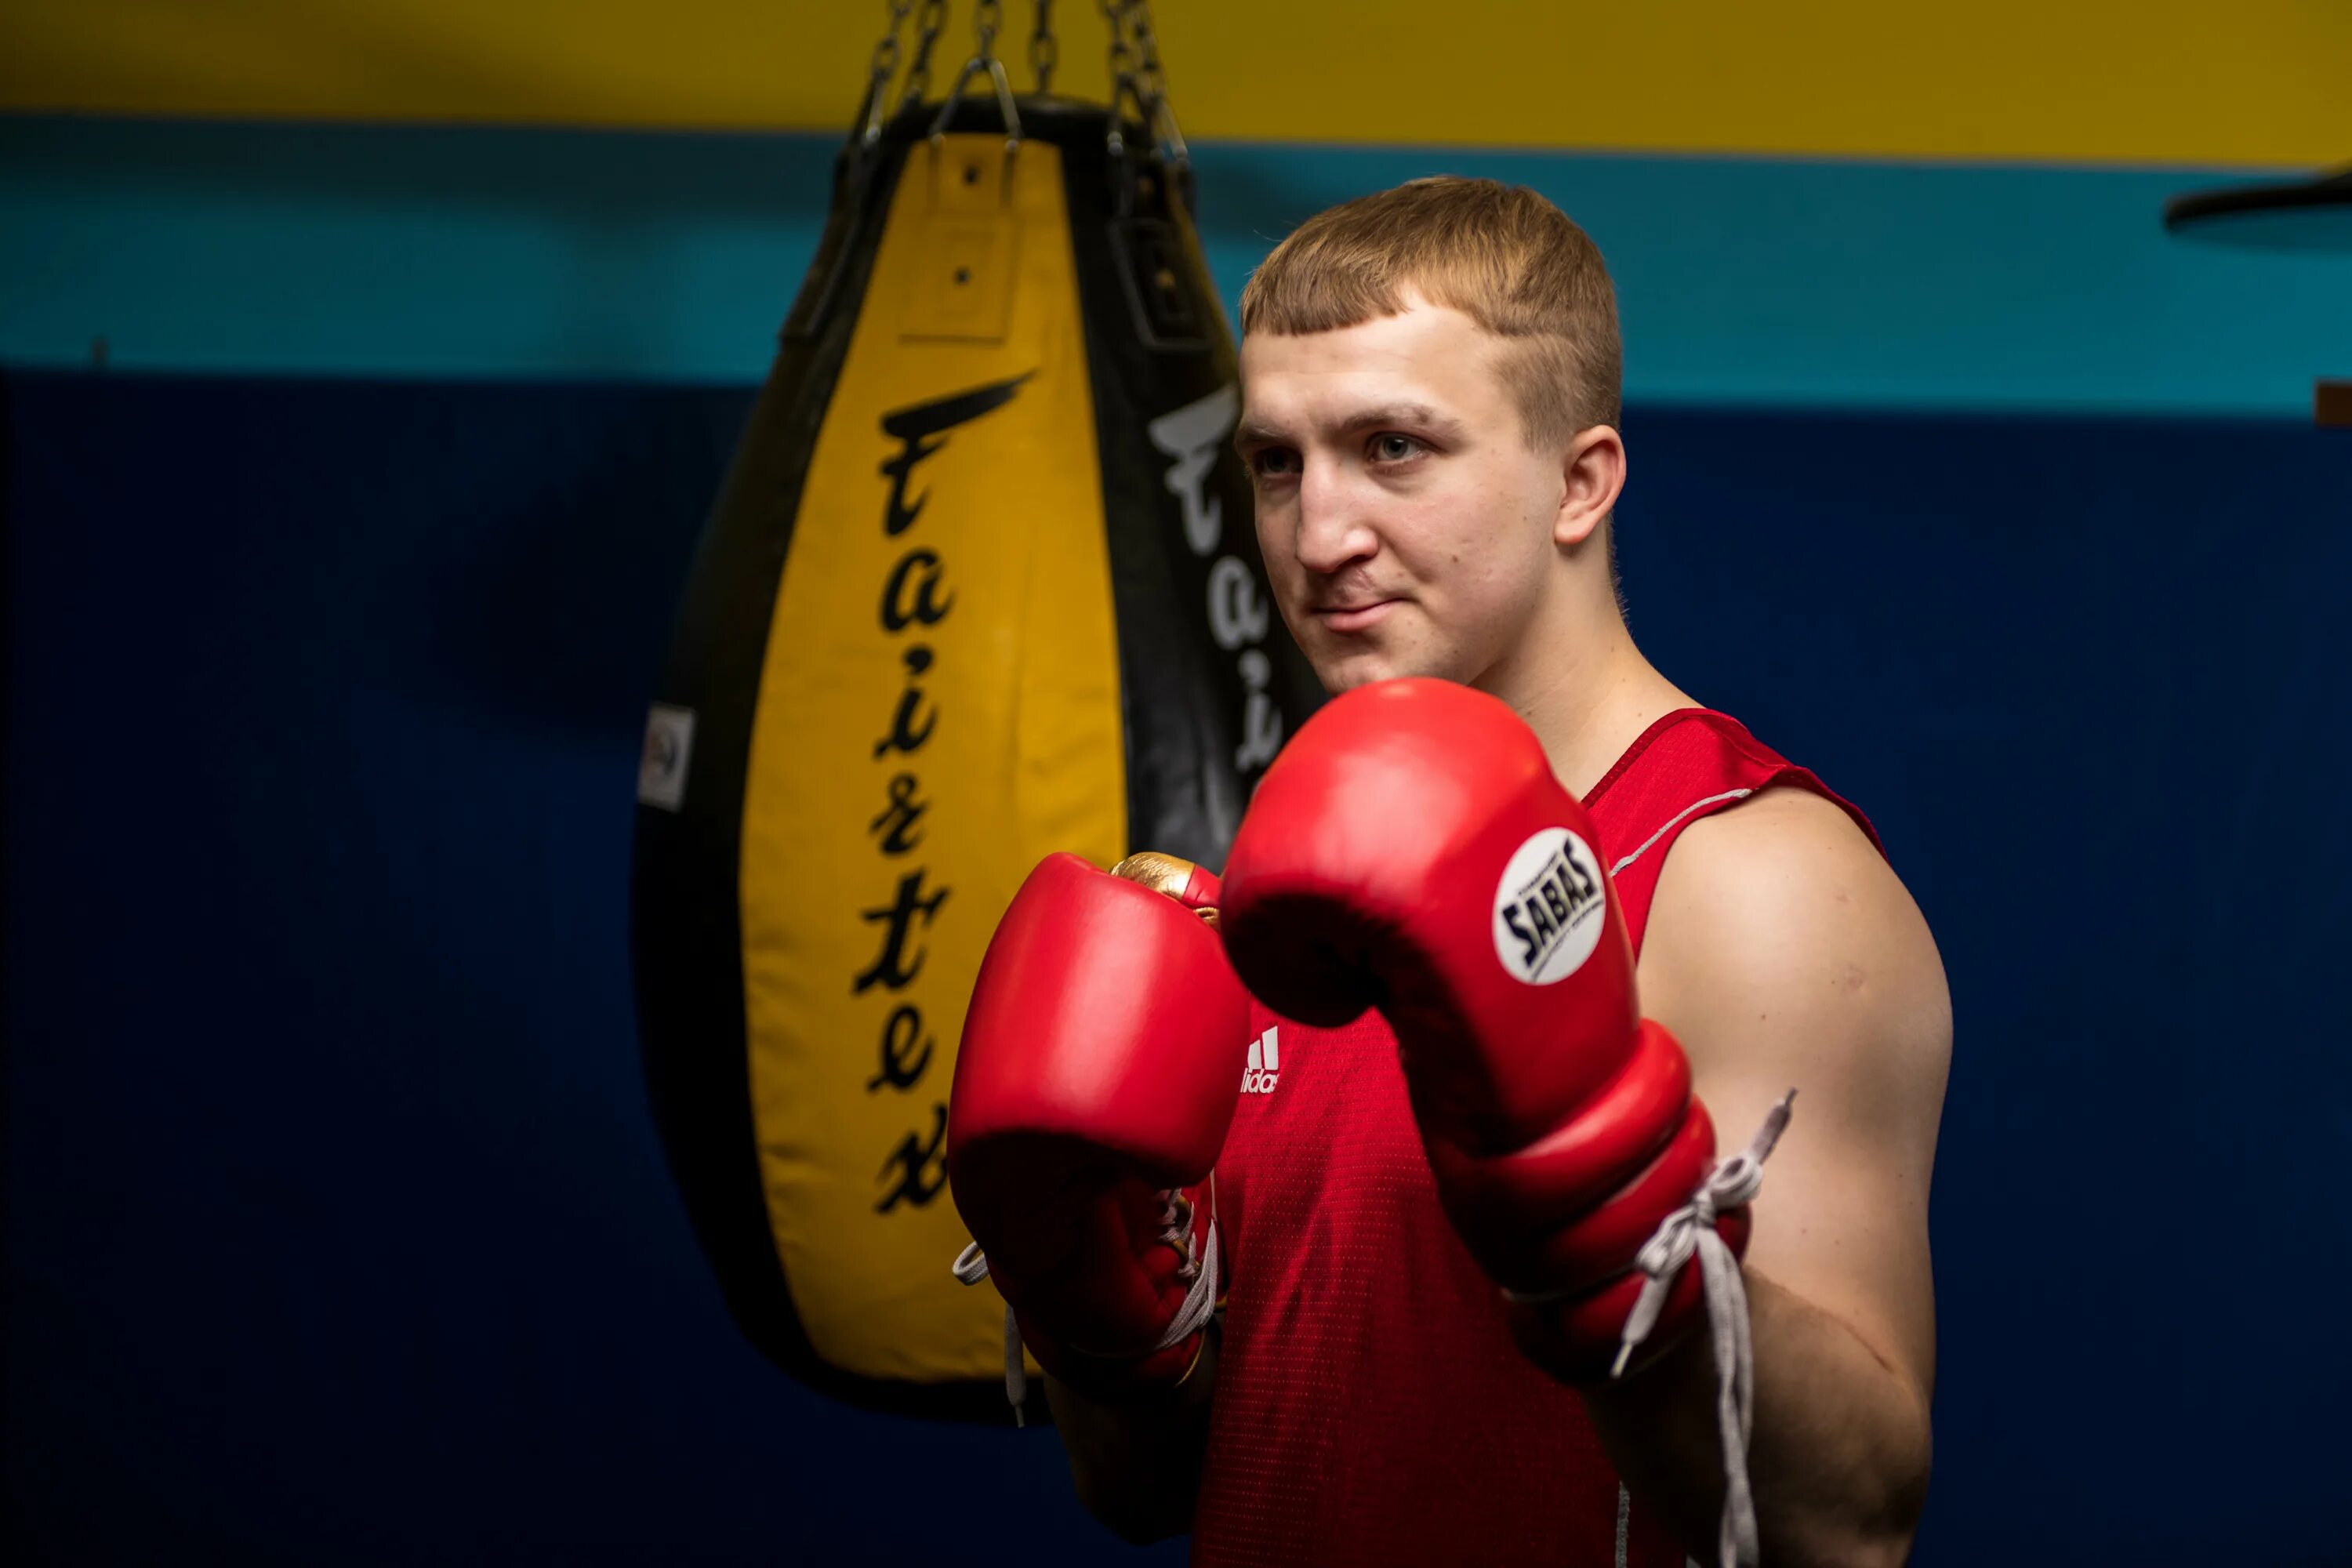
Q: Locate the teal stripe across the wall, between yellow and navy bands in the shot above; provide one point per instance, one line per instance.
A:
(671, 257)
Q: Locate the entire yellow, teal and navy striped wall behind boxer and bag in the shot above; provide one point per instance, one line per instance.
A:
(368, 375)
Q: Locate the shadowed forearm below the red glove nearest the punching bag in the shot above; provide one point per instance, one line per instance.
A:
(1137, 1466)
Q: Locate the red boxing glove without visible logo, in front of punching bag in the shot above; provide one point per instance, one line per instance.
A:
(1093, 1094)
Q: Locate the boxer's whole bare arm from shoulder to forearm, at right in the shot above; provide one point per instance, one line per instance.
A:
(1786, 953)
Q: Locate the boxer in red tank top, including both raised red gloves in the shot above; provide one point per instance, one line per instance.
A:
(1523, 925)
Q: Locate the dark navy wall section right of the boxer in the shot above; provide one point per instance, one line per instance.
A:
(2087, 678)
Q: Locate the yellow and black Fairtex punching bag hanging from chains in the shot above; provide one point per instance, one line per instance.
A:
(982, 584)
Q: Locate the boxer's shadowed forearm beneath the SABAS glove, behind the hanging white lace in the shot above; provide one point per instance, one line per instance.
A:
(1840, 1452)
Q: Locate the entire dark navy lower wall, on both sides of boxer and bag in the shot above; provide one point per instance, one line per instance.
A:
(338, 1228)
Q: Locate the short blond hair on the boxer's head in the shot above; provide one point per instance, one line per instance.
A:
(1502, 255)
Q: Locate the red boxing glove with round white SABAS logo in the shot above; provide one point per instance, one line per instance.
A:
(1412, 852)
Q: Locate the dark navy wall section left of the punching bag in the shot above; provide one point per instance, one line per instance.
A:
(340, 1231)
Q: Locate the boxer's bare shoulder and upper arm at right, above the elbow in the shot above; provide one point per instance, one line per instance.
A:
(1784, 953)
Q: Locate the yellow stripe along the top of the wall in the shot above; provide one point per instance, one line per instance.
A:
(2170, 81)
